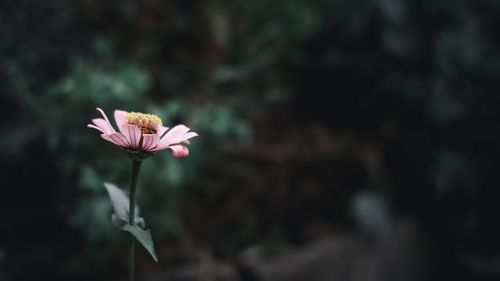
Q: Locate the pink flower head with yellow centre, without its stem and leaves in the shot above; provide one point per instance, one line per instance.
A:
(143, 133)
